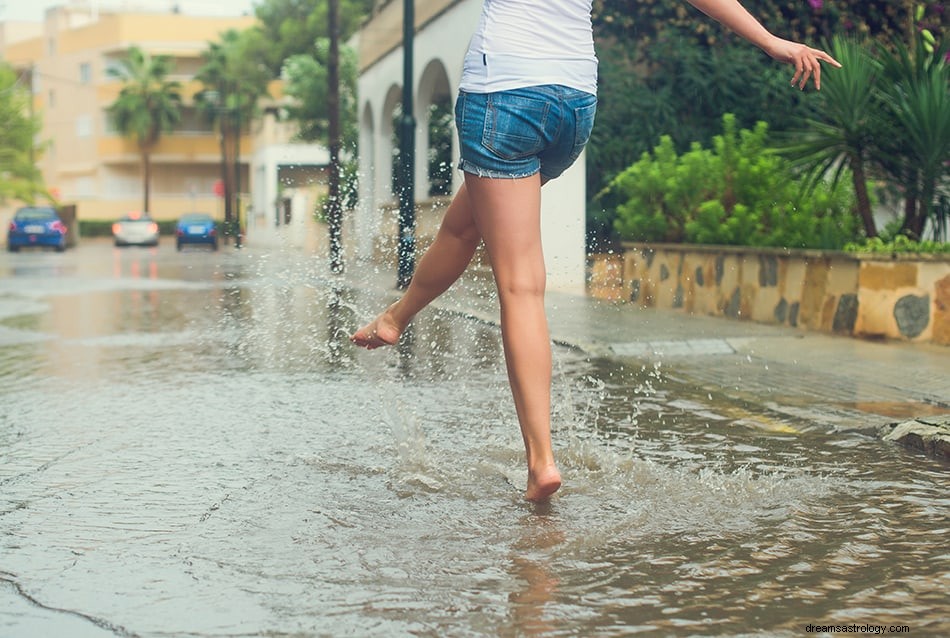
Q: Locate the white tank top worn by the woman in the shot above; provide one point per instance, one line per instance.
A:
(521, 43)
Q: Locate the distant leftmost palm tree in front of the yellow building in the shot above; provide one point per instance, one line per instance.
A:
(148, 106)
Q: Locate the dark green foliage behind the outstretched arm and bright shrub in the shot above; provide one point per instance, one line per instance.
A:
(667, 70)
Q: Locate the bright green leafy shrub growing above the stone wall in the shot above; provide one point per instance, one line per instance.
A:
(738, 193)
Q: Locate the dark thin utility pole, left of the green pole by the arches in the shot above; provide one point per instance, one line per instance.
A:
(334, 205)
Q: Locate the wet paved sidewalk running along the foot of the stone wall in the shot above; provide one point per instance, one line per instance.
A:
(813, 379)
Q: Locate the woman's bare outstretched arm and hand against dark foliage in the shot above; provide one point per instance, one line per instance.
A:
(733, 15)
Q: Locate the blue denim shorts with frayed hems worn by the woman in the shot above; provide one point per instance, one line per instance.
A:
(517, 133)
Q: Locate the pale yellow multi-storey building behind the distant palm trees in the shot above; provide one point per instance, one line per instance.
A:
(66, 61)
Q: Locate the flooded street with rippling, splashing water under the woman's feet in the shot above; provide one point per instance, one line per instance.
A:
(189, 446)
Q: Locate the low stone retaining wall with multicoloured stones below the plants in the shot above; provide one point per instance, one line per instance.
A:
(905, 297)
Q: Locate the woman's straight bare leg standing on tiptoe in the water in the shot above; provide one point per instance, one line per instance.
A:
(507, 213)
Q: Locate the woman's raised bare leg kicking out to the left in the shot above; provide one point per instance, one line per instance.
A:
(441, 265)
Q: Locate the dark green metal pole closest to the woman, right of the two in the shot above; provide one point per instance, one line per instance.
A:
(407, 149)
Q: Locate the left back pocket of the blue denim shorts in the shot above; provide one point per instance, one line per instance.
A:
(514, 125)
